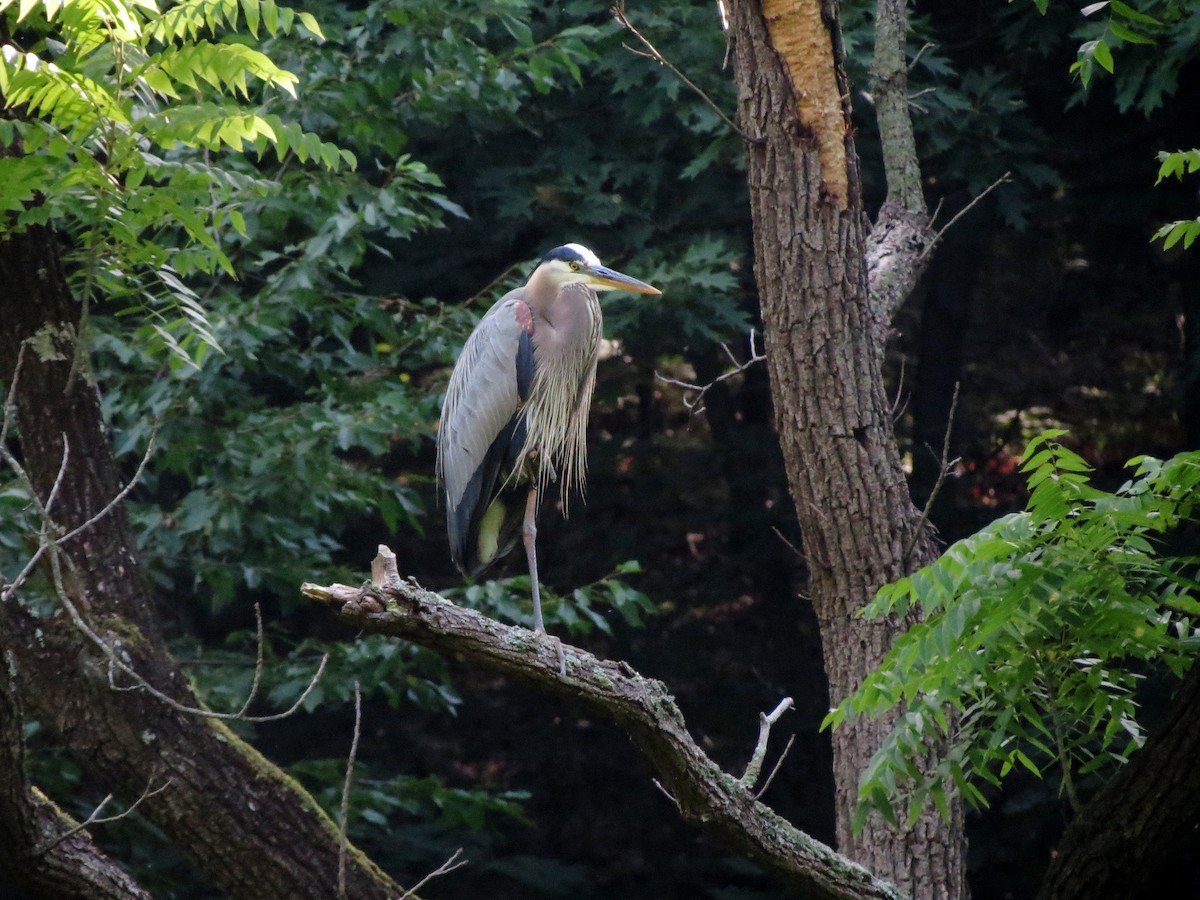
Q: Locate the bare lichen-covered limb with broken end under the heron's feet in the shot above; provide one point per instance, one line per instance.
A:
(640, 706)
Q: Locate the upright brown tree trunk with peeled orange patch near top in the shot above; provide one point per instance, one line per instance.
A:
(824, 350)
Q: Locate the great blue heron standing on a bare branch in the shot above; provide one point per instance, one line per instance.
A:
(517, 409)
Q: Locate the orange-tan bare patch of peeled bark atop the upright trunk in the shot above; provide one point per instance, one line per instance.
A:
(801, 37)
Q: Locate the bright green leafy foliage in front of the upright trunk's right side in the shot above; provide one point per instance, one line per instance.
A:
(1036, 633)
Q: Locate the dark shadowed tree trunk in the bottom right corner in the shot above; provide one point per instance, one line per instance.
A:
(1131, 830)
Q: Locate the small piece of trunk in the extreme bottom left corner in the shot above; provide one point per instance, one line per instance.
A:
(43, 856)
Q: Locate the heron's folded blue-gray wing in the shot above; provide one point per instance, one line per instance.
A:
(482, 429)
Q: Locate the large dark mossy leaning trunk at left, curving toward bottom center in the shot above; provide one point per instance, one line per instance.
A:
(247, 827)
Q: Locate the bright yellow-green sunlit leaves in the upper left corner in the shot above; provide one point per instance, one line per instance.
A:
(107, 95)
